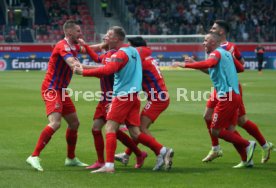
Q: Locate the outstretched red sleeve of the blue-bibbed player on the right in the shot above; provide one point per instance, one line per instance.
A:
(212, 61)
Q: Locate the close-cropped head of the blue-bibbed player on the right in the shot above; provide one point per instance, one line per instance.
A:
(211, 42)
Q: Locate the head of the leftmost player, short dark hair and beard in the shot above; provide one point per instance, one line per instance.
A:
(72, 30)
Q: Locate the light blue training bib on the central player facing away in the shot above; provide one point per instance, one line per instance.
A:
(129, 78)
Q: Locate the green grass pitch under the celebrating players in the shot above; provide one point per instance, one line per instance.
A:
(180, 127)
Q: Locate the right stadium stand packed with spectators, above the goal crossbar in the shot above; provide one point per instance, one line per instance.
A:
(251, 21)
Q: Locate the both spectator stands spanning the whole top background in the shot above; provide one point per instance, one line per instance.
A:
(251, 21)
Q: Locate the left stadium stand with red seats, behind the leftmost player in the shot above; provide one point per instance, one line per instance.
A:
(46, 24)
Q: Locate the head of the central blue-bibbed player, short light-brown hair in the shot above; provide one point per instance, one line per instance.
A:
(116, 36)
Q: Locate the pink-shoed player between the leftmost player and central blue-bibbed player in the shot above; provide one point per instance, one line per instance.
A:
(106, 83)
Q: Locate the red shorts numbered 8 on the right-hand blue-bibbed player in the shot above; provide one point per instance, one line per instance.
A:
(226, 111)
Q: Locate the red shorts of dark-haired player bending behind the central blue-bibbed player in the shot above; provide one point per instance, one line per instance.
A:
(154, 108)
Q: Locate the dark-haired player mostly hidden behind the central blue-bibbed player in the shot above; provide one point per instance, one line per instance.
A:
(153, 85)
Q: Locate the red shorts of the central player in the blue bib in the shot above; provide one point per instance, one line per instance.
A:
(125, 110)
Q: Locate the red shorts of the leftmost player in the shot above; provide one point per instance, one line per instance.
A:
(54, 102)
